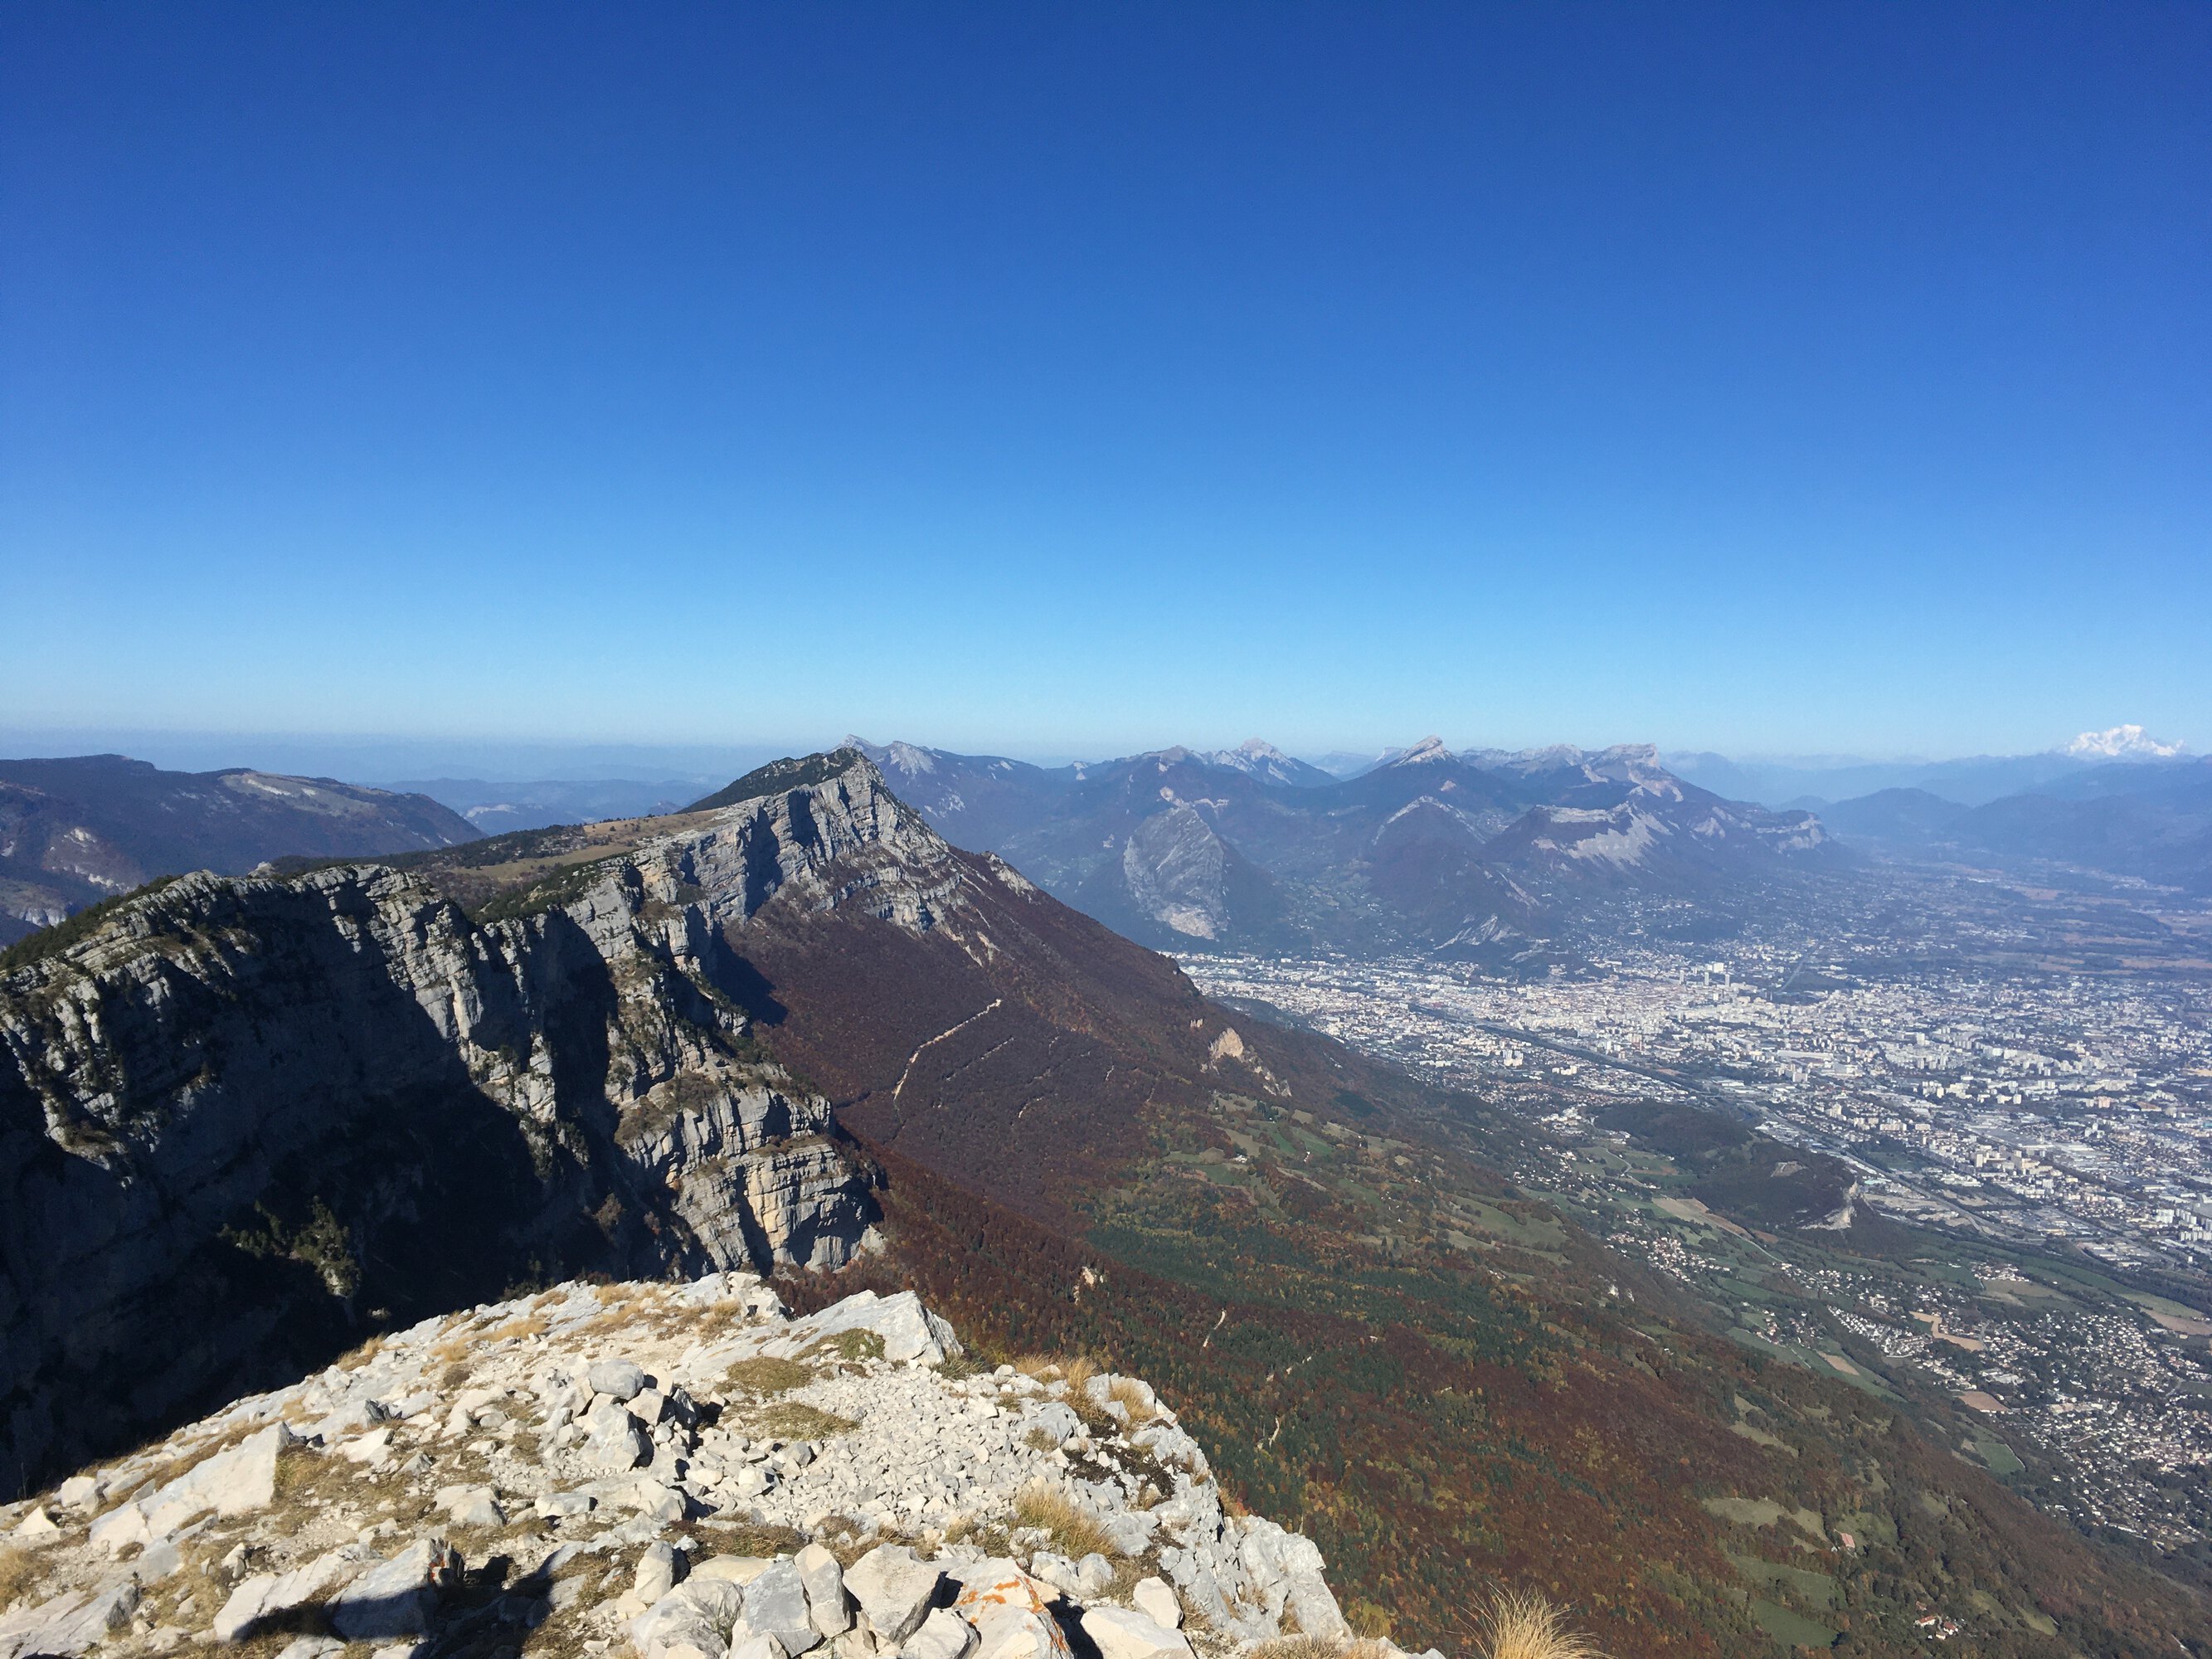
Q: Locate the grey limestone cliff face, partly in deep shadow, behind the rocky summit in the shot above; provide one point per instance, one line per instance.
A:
(251, 1112)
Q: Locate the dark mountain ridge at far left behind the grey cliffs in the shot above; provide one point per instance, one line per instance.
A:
(79, 831)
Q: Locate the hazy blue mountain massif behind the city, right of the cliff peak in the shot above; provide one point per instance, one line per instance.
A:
(1457, 853)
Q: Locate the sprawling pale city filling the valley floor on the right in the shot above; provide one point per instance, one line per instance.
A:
(2012, 1092)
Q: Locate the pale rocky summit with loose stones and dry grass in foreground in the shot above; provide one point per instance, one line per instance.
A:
(669, 1472)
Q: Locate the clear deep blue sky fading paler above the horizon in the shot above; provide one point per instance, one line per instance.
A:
(1076, 379)
